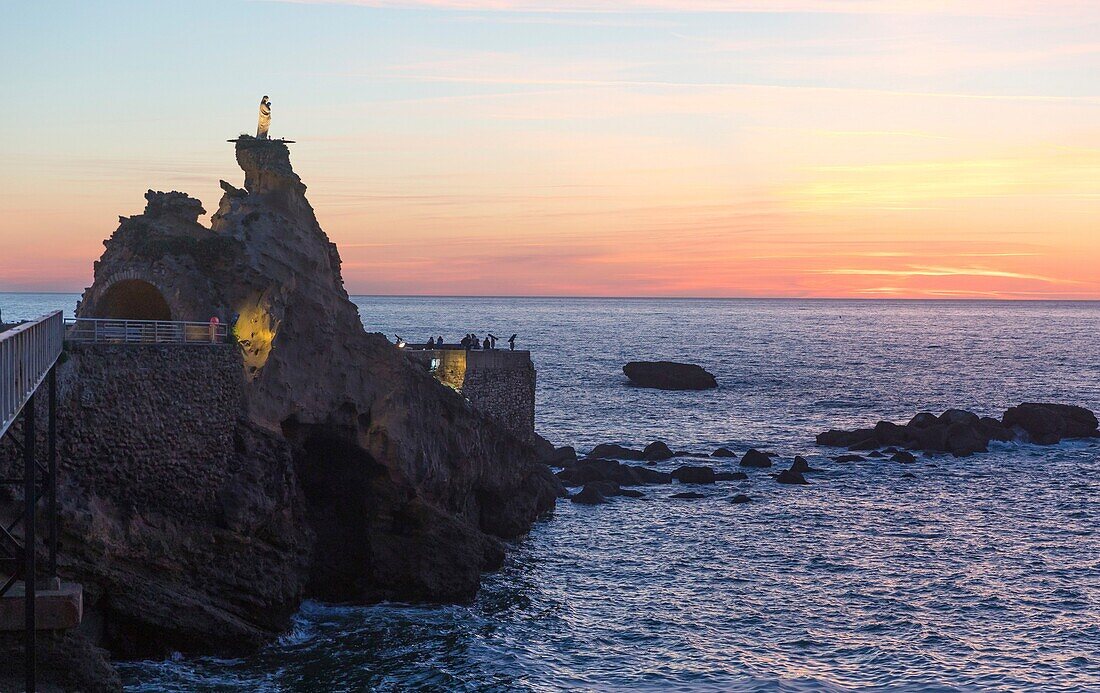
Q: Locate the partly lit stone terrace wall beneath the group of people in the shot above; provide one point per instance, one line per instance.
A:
(499, 383)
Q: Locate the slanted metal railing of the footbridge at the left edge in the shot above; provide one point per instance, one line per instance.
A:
(27, 354)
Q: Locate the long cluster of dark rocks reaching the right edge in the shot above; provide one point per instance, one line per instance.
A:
(964, 434)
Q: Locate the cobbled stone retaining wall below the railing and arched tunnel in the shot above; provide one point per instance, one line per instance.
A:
(164, 414)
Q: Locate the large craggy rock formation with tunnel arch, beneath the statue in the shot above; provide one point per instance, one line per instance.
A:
(344, 471)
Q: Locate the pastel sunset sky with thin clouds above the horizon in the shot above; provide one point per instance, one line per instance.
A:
(870, 149)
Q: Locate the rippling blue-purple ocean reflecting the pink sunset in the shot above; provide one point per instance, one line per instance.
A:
(975, 574)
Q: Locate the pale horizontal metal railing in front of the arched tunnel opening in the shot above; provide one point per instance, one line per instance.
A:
(112, 332)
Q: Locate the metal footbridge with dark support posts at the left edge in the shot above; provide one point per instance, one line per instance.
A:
(32, 598)
